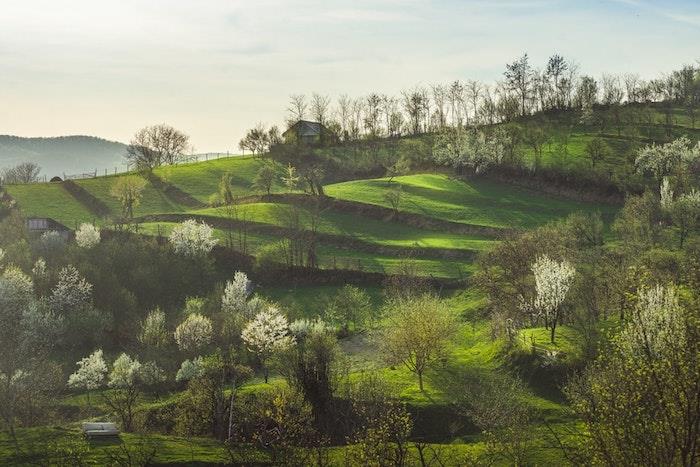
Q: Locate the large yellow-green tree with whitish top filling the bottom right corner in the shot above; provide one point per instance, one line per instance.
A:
(639, 399)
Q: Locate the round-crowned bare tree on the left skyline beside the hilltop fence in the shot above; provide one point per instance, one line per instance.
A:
(153, 146)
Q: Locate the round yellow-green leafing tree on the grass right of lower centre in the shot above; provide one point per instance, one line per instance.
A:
(418, 333)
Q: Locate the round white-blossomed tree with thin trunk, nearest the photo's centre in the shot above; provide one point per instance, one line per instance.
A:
(267, 333)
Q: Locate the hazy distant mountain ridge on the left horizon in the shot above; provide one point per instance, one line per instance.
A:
(63, 154)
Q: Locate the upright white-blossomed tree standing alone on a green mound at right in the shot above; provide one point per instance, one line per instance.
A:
(553, 279)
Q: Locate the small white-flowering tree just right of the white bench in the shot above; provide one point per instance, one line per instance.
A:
(124, 382)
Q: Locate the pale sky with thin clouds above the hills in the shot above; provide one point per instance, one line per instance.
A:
(213, 68)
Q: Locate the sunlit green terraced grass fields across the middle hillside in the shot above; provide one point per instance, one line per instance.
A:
(358, 232)
